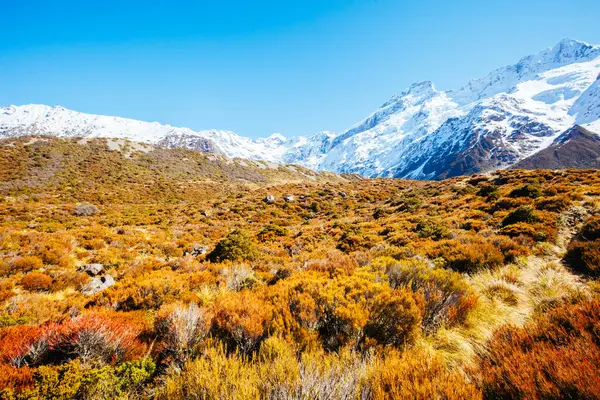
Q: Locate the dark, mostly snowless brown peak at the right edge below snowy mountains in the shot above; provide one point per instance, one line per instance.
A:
(575, 148)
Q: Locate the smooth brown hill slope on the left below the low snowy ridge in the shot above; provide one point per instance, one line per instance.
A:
(120, 170)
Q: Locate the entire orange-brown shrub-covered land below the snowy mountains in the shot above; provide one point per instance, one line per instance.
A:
(130, 271)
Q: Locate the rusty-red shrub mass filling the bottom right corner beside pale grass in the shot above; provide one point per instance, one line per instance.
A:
(556, 357)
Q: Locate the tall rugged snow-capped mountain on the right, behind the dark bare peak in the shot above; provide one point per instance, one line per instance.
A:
(490, 123)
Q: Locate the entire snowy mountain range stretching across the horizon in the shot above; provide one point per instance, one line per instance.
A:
(519, 115)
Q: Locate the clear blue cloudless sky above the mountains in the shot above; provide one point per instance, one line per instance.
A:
(258, 67)
